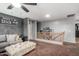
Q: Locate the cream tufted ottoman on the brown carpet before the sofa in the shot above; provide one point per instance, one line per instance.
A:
(20, 48)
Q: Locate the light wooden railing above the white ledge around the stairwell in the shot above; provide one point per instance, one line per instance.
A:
(51, 36)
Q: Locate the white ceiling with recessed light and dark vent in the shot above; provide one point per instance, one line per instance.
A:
(56, 10)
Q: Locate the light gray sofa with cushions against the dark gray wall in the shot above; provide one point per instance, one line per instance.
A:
(6, 40)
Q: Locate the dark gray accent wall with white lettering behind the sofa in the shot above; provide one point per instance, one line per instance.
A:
(9, 28)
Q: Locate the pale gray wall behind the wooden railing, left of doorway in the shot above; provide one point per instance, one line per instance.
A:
(66, 25)
